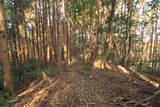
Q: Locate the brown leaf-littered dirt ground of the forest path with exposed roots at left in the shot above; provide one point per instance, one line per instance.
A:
(86, 86)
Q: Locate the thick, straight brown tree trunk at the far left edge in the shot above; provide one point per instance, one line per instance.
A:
(7, 76)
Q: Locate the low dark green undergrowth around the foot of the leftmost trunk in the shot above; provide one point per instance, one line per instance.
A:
(18, 73)
